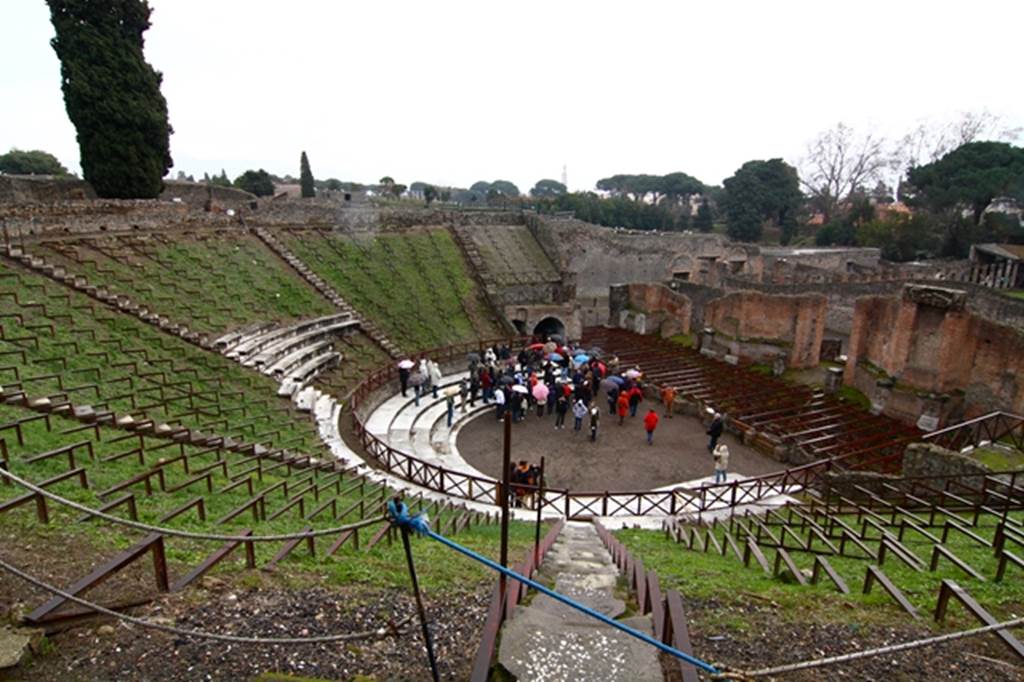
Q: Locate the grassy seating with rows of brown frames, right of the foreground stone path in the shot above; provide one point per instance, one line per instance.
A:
(917, 539)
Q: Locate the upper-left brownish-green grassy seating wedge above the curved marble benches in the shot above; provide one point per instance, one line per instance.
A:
(211, 281)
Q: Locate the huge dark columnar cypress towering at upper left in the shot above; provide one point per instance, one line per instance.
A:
(113, 96)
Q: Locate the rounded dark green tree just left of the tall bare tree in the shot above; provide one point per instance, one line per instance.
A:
(762, 191)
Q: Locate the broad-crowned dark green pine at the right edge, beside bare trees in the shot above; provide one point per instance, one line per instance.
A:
(969, 178)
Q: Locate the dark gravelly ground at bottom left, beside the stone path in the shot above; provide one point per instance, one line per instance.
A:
(129, 653)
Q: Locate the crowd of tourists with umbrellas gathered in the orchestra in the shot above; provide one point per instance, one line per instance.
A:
(553, 379)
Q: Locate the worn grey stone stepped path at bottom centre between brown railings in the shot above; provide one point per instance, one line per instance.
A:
(547, 641)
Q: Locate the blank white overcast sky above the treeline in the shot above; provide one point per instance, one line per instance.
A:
(455, 93)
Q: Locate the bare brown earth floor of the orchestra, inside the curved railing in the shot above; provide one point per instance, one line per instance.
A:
(620, 460)
